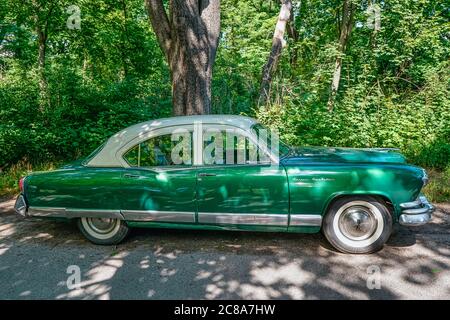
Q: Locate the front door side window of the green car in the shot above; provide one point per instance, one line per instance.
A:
(230, 147)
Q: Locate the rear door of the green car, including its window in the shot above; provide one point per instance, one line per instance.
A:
(159, 183)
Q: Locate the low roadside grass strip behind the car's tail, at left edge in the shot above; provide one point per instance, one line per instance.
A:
(9, 179)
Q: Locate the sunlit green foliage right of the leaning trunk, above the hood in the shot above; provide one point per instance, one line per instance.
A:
(395, 83)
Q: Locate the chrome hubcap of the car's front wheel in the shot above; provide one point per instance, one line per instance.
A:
(357, 223)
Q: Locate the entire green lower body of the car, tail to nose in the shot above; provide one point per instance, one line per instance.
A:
(277, 196)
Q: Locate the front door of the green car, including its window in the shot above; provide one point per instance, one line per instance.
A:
(238, 184)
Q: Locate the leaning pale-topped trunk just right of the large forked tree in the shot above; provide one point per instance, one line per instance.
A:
(278, 43)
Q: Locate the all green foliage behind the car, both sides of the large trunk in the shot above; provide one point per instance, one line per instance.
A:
(394, 89)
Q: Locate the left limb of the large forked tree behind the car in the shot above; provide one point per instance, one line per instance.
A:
(160, 24)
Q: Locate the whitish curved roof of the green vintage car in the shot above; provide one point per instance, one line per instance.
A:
(107, 155)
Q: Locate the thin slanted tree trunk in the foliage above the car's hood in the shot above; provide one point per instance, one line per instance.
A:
(345, 30)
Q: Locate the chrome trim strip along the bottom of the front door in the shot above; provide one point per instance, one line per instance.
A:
(243, 218)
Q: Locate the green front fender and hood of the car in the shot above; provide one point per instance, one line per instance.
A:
(319, 175)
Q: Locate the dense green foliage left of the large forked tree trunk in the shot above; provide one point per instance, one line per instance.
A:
(102, 78)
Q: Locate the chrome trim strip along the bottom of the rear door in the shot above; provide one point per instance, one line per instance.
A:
(162, 216)
